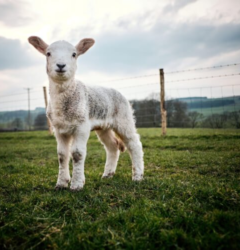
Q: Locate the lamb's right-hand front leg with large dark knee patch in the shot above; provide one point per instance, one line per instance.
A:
(79, 148)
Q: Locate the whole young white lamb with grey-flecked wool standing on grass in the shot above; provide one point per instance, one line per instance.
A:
(75, 110)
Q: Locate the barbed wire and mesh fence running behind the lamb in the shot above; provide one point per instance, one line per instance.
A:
(206, 97)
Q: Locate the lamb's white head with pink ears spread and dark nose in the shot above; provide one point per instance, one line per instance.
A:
(61, 57)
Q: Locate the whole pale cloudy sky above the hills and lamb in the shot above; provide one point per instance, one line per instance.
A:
(132, 38)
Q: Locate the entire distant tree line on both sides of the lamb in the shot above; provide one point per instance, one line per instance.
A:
(147, 114)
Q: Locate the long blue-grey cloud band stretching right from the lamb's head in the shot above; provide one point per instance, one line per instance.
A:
(138, 49)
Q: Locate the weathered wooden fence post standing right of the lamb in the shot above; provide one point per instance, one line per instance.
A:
(162, 103)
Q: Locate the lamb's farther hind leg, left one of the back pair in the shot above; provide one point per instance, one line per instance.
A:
(113, 146)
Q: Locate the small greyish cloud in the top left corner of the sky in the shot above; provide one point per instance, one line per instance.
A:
(14, 13)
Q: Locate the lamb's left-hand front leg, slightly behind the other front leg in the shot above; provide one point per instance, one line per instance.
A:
(63, 150)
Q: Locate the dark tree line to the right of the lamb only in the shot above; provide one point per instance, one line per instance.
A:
(147, 114)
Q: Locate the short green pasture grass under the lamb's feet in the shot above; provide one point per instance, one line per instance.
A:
(189, 199)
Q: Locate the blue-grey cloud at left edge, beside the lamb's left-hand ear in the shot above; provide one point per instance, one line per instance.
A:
(14, 55)
